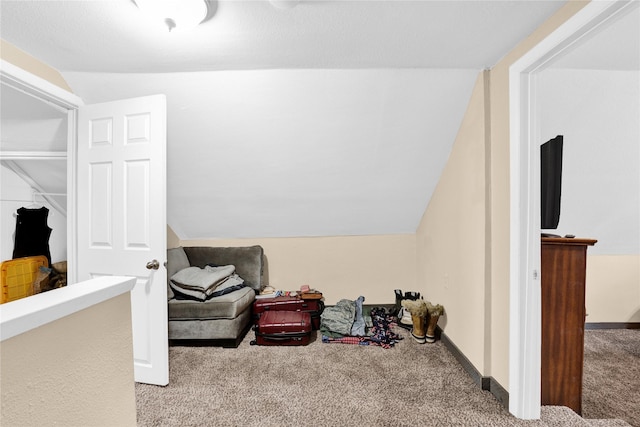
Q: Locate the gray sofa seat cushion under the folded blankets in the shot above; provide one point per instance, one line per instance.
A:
(226, 306)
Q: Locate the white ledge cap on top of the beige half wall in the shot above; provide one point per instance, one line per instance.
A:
(23, 315)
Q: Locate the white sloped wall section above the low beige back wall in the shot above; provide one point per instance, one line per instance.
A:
(298, 153)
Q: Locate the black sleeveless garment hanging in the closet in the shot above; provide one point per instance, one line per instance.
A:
(32, 233)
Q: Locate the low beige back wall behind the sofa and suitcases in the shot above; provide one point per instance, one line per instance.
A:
(339, 267)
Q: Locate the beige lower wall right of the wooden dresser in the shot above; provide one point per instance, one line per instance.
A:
(613, 288)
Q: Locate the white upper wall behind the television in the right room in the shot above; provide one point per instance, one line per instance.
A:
(598, 112)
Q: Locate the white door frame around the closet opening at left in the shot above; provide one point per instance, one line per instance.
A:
(39, 88)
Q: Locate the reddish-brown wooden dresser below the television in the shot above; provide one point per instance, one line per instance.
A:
(563, 271)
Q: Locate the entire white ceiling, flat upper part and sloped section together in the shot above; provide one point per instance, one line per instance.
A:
(329, 118)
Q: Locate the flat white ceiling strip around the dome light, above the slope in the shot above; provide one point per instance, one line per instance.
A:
(110, 36)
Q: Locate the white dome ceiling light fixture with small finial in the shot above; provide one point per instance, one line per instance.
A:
(176, 15)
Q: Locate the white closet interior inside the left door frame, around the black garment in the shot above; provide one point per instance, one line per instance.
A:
(33, 157)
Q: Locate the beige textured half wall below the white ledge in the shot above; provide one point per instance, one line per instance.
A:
(75, 371)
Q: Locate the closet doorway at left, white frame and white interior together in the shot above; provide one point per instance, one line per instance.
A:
(37, 155)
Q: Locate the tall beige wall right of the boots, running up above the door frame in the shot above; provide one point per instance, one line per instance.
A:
(473, 280)
